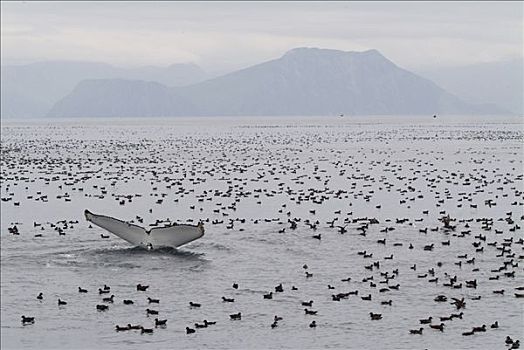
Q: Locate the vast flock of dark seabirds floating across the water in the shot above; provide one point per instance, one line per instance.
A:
(302, 173)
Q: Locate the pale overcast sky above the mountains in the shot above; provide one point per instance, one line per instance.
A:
(221, 36)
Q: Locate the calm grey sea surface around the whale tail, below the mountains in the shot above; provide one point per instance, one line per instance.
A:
(388, 181)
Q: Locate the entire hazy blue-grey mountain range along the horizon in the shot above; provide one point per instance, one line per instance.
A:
(304, 81)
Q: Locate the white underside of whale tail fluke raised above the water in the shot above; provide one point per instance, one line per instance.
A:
(171, 236)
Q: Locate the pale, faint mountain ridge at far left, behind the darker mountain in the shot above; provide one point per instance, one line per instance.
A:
(32, 90)
